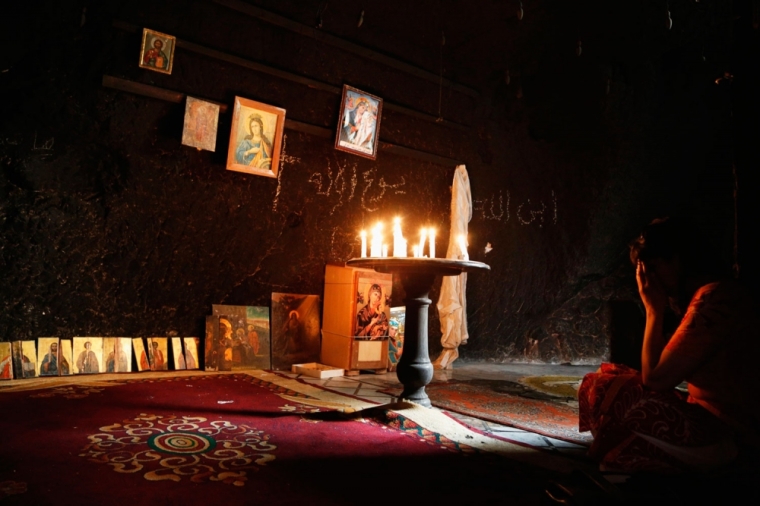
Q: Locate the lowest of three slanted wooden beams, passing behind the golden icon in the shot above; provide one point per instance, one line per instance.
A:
(176, 97)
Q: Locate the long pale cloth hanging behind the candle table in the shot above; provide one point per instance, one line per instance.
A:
(452, 304)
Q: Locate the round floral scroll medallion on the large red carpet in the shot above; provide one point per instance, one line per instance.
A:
(173, 448)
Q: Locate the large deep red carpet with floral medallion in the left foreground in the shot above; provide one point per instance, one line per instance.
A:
(232, 439)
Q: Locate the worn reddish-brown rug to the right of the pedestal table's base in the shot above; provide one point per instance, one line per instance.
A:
(512, 404)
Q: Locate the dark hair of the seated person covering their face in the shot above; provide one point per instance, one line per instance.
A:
(669, 237)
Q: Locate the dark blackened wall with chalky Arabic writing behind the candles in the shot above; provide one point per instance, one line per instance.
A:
(109, 226)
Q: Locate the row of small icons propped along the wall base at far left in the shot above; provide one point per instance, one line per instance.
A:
(52, 356)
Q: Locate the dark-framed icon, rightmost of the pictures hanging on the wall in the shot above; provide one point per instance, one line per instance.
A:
(359, 125)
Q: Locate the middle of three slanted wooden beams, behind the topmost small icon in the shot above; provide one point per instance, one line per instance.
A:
(282, 74)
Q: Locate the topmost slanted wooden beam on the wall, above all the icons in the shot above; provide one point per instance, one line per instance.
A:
(352, 47)
